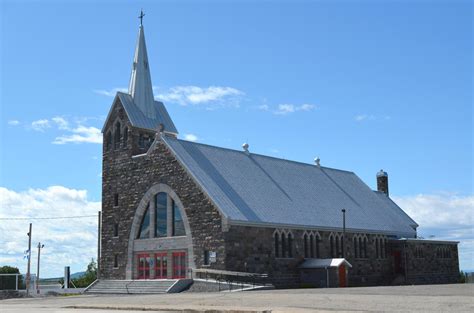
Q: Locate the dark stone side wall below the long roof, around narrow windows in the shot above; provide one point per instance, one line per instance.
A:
(251, 249)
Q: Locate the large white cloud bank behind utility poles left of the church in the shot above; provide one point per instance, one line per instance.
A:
(68, 242)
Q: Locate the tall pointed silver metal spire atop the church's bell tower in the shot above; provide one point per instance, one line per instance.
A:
(141, 88)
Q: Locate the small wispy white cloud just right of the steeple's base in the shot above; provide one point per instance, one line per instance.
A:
(212, 97)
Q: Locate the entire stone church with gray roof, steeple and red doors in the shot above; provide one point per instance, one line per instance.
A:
(173, 208)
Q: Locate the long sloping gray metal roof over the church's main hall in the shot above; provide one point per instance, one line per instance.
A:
(257, 189)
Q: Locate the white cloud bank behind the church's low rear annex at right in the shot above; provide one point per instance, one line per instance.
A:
(444, 216)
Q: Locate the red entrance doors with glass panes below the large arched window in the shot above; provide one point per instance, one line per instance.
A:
(160, 263)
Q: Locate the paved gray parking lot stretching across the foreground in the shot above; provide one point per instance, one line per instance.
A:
(430, 298)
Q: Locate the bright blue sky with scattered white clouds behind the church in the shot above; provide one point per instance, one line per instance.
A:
(364, 85)
